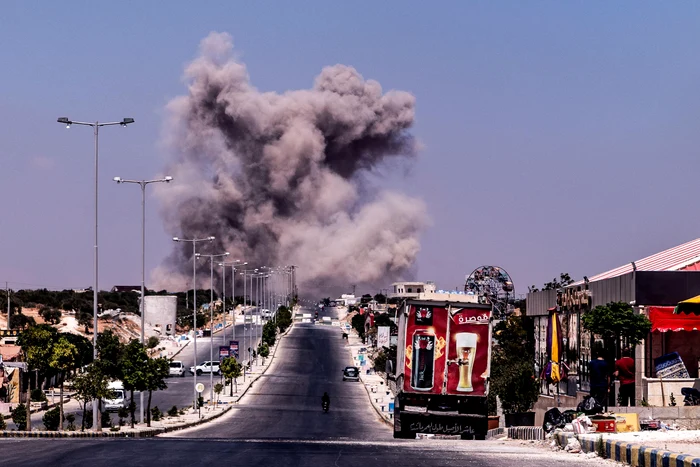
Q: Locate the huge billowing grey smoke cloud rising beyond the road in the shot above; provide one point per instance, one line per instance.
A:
(281, 178)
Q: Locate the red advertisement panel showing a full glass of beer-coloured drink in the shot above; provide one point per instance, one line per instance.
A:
(468, 351)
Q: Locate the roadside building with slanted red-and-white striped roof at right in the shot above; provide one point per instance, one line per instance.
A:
(661, 279)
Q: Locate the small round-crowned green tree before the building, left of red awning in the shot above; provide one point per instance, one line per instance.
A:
(617, 324)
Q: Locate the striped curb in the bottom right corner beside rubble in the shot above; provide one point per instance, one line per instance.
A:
(630, 453)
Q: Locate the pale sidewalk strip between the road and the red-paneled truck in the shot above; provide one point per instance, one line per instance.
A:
(381, 398)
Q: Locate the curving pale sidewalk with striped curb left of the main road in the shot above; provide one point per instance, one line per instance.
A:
(191, 417)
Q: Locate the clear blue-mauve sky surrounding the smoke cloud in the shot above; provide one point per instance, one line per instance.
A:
(558, 136)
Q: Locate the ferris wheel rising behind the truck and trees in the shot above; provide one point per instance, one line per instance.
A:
(492, 284)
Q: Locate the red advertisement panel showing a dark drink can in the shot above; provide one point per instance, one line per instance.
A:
(424, 362)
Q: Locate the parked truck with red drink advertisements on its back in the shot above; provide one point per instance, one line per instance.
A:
(443, 366)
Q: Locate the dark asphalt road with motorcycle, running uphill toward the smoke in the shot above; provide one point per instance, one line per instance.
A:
(280, 423)
